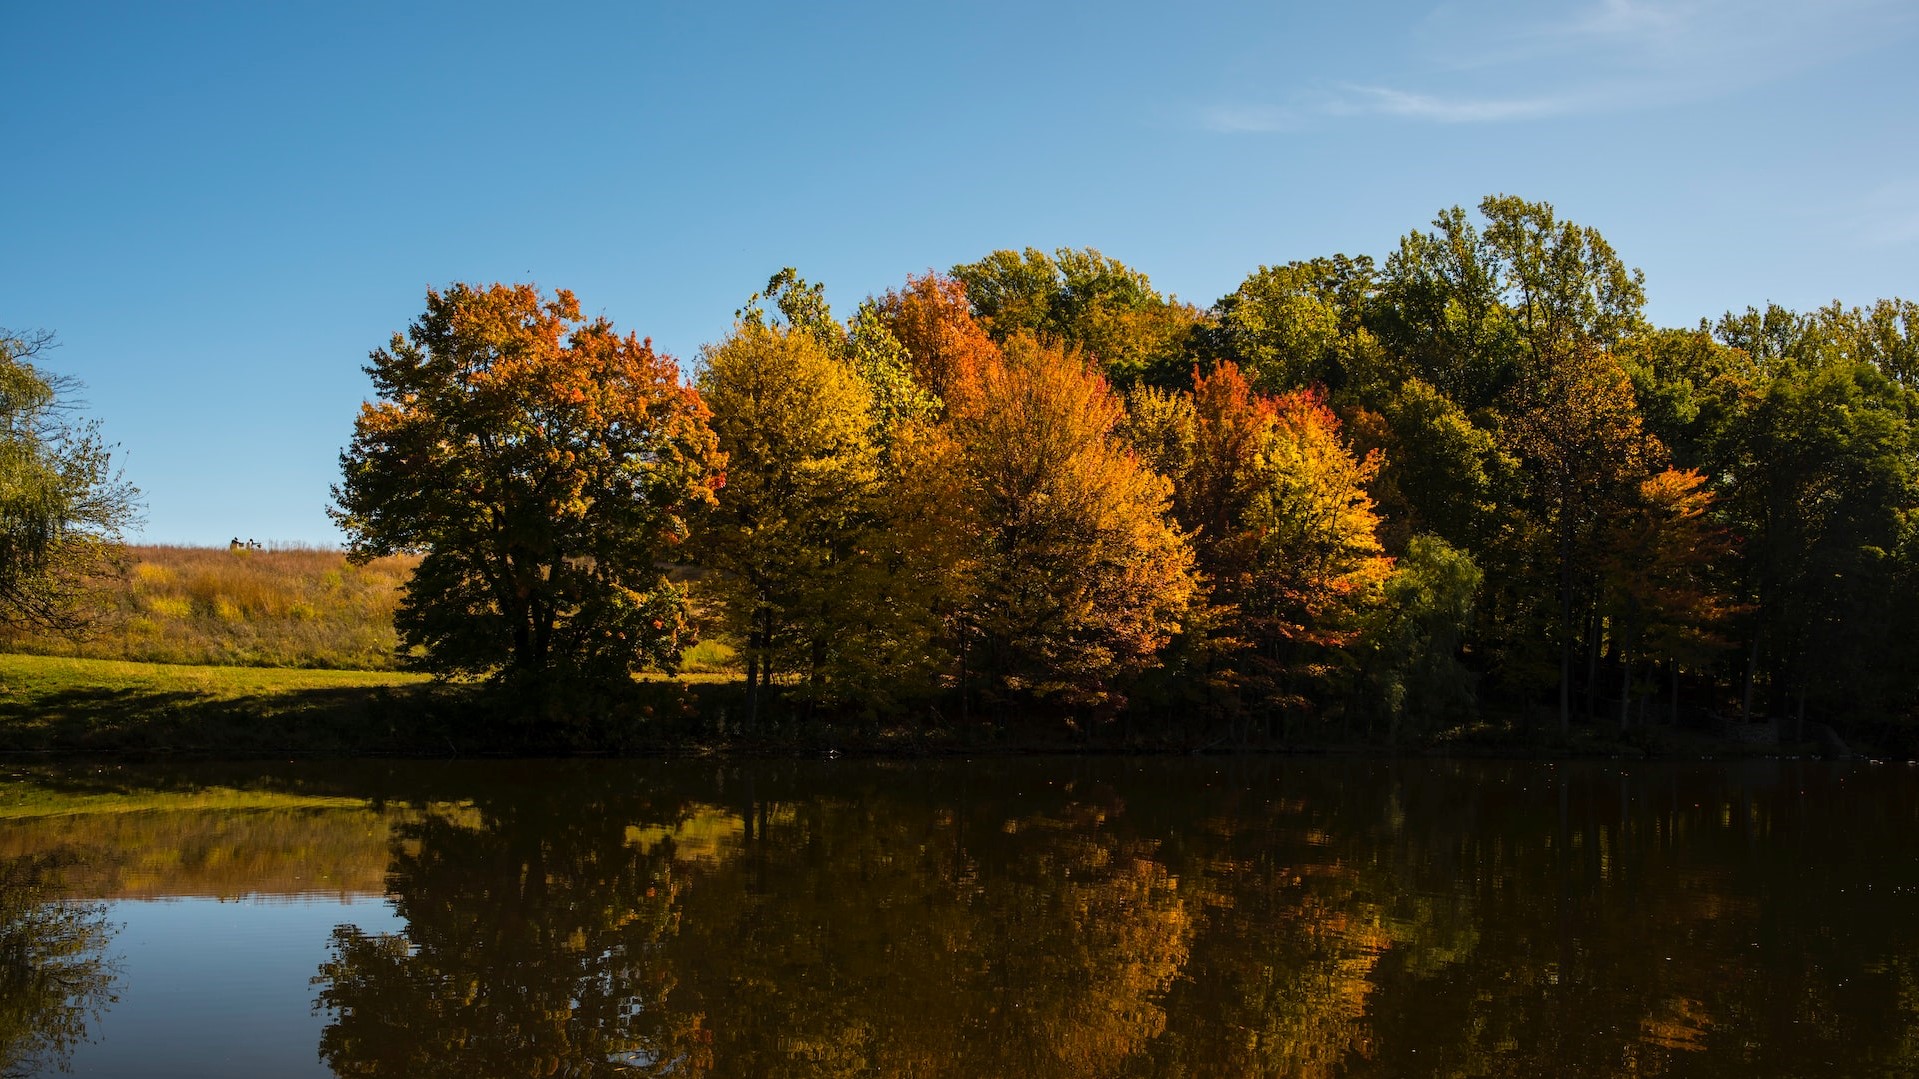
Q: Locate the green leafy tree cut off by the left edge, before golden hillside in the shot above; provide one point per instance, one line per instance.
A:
(62, 502)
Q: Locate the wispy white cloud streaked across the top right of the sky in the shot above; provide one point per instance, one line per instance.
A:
(1609, 57)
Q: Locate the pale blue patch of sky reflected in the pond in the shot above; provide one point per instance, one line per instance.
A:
(214, 990)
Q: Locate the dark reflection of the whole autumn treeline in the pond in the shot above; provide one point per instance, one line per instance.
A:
(1321, 921)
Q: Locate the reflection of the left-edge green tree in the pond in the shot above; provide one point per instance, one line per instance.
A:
(55, 974)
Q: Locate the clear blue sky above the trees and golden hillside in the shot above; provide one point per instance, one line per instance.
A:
(224, 208)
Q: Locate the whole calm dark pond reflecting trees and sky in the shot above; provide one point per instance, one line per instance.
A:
(1043, 917)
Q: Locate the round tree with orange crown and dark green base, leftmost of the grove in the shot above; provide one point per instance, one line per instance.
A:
(544, 468)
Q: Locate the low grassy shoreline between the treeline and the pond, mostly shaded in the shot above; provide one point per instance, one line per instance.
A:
(80, 709)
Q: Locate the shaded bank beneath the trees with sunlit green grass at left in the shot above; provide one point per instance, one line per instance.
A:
(68, 707)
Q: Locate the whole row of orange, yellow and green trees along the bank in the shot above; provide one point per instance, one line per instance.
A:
(1348, 500)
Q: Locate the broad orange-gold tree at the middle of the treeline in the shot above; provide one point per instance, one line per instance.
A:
(1070, 575)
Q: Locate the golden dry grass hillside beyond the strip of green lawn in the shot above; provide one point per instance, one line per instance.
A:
(210, 606)
